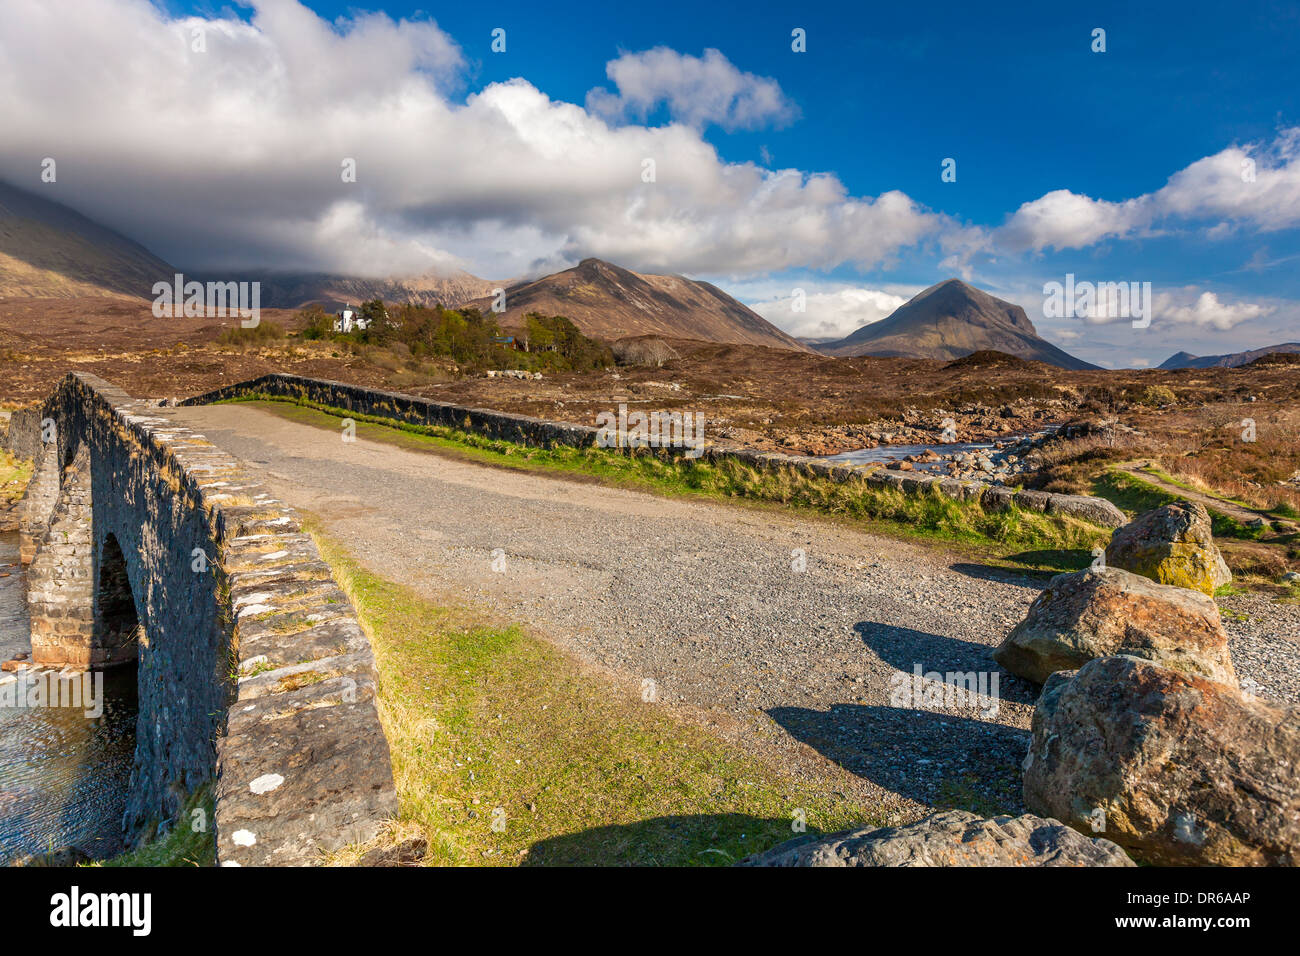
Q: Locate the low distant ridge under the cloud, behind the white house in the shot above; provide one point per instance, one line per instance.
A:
(296, 291)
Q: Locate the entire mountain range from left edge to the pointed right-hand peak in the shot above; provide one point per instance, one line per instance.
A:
(50, 250)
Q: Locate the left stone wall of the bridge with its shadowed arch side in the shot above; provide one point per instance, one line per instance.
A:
(148, 547)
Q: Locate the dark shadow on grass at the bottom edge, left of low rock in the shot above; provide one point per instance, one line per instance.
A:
(707, 840)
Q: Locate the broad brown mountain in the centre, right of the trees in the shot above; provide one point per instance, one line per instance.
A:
(606, 301)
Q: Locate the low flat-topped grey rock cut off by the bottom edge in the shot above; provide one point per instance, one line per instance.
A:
(951, 838)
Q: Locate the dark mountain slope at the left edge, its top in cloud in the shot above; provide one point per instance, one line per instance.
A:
(47, 250)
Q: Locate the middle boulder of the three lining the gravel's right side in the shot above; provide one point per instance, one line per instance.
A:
(1103, 612)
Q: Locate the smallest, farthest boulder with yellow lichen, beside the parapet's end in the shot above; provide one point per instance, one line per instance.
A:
(1172, 546)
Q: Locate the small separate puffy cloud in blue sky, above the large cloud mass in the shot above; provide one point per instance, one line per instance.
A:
(696, 90)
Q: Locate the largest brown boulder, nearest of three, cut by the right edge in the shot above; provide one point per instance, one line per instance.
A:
(1176, 769)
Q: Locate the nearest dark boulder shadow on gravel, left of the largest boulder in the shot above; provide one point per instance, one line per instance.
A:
(939, 760)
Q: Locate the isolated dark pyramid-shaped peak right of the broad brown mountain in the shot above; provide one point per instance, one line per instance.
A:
(948, 322)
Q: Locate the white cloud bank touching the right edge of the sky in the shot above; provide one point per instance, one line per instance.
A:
(1255, 188)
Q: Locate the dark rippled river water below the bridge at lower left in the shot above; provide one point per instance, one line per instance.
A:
(63, 775)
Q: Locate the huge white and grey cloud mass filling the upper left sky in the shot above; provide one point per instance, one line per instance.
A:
(232, 158)
